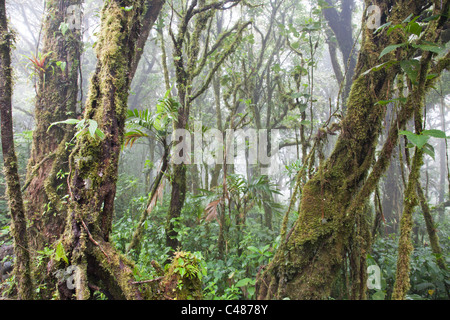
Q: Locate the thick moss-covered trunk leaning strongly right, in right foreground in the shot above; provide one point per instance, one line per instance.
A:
(331, 222)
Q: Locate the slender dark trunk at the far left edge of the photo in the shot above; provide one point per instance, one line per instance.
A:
(18, 227)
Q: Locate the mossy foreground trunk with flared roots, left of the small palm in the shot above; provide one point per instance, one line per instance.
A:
(94, 161)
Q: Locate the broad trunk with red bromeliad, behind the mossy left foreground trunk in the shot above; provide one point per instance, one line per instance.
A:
(56, 100)
